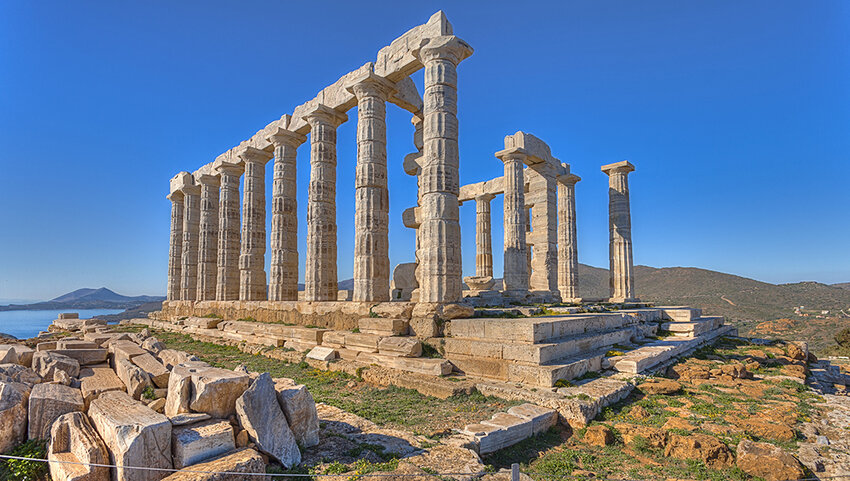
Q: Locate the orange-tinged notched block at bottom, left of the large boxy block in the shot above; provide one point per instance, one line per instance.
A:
(74, 440)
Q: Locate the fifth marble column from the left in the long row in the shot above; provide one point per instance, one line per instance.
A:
(252, 258)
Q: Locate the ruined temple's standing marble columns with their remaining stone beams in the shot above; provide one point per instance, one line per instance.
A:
(218, 253)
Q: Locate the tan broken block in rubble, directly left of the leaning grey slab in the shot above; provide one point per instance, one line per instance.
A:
(198, 387)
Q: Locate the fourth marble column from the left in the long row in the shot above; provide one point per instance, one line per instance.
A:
(227, 280)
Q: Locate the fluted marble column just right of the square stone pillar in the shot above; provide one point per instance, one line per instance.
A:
(567, 241)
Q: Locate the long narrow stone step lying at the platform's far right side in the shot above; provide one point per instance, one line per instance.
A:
(650, 355)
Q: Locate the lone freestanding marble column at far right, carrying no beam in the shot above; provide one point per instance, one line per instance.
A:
(620, 240)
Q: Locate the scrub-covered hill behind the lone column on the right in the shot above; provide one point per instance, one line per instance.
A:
(717, 293)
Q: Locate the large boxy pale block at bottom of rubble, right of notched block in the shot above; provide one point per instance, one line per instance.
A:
(134, 434)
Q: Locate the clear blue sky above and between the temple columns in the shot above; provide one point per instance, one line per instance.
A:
(736, 115)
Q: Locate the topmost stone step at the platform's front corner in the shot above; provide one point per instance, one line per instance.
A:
(538, 329)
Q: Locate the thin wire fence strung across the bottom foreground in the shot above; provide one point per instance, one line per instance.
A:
(515, 472)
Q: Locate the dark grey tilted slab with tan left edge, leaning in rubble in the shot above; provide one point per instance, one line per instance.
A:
(260, 414)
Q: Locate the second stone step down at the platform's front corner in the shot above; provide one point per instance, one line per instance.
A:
(538, 353)
